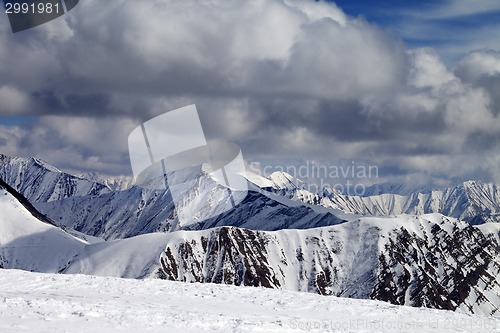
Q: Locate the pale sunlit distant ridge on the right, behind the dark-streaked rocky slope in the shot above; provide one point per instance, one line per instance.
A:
(471, 201)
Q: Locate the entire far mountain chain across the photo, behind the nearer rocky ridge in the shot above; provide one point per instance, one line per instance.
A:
(95, 209)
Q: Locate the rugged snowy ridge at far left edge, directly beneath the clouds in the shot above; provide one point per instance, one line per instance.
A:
(41, 182)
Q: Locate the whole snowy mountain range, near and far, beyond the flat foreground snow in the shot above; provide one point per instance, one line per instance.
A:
(280, 236)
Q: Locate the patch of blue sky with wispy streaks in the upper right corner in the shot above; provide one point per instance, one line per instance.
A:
(452, 28)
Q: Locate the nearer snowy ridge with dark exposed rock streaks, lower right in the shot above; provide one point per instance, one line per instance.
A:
(431, 261)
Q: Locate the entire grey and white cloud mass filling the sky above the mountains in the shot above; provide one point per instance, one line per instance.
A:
(284, 79)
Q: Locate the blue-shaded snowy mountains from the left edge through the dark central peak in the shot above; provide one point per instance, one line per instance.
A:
(92, 208)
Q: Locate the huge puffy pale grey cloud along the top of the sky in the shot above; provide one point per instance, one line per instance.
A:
(225, 48)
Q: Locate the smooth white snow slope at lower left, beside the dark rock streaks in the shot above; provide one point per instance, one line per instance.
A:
(30, 244)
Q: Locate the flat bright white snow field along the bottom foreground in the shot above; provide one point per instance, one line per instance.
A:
(38, 302)
